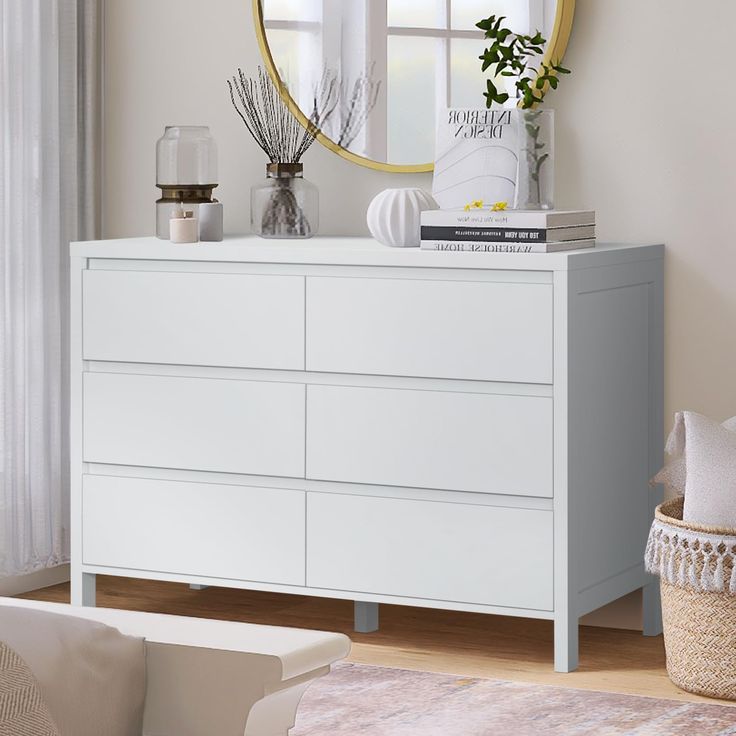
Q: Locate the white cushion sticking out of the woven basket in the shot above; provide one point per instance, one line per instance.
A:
(703, 466)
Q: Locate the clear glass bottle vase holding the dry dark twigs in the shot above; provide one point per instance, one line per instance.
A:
(286, 205)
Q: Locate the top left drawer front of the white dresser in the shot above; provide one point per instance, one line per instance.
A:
(208, 319)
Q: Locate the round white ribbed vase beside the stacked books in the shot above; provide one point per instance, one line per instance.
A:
(393, 216)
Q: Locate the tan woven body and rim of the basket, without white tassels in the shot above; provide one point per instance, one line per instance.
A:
(699, 627)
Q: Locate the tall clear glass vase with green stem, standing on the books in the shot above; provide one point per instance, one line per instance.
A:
(535, 183)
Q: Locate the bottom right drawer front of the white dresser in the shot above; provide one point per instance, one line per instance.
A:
(423, 549)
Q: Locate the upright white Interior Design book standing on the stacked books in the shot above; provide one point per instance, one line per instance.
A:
(476, 156)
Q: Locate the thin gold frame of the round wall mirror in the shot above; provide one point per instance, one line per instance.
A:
(556, 47)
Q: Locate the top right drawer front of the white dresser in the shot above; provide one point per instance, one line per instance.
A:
(488, 331)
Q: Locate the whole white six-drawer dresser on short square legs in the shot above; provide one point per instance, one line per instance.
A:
(335, 418)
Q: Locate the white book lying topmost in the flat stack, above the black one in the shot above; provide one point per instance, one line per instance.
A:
(542, 219)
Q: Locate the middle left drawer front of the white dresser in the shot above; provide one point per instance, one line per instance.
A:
(221, 425)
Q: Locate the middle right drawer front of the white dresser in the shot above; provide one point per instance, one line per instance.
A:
(431, 439)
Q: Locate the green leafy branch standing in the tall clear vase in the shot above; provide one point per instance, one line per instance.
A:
(521, 56)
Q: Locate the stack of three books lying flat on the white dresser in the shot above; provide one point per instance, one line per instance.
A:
(508, 231)
